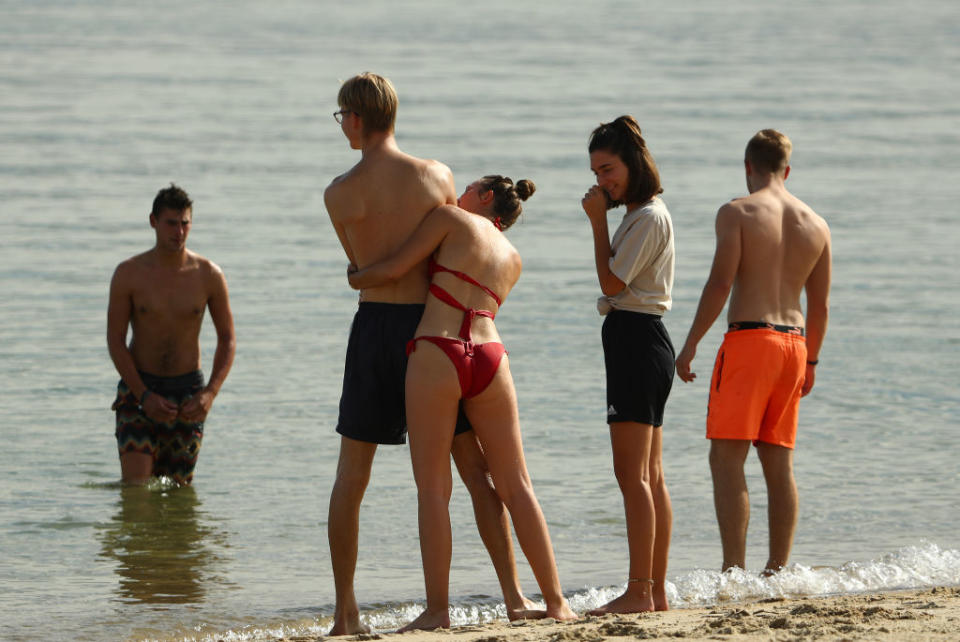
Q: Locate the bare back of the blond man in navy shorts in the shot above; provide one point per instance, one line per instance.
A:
(378, 204)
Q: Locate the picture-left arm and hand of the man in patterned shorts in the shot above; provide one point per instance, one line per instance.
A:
(118, 320)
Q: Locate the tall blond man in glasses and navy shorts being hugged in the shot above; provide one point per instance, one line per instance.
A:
(374, 207)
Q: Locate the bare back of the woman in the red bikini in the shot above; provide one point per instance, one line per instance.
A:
(471, 245)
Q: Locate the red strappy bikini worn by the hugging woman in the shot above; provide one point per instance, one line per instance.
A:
(476, 363)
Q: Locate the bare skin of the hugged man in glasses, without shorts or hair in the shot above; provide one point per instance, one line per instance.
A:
(374, 207)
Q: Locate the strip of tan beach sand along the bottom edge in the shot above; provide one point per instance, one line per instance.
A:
(926, 614)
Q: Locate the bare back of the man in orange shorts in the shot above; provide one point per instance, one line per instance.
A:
(781, 242)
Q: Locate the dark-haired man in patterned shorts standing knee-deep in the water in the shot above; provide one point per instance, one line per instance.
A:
(163, 294)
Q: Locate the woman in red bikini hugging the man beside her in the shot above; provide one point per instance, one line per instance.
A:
(457, 355)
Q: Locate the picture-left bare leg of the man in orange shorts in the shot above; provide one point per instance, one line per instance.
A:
(730, 498)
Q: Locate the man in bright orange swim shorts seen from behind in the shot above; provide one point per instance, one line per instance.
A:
(770, 247)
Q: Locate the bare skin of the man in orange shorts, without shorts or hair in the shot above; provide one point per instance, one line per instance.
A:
(771, 248)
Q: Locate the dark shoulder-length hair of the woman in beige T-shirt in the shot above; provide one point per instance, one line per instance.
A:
(622, 137)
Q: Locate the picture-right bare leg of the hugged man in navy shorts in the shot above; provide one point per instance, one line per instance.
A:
(492, 520)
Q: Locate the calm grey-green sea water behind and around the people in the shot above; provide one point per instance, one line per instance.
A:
(102, 103)
